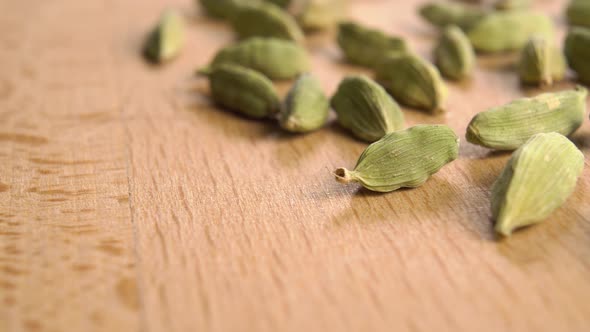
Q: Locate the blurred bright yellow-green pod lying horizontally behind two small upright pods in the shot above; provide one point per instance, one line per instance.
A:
(509, 30)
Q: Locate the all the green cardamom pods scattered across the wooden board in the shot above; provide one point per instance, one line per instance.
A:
(543, 170)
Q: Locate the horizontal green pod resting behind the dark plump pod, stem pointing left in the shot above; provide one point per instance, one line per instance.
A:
(275, 58)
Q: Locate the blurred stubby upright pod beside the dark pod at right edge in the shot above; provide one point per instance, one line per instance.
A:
(541, 62)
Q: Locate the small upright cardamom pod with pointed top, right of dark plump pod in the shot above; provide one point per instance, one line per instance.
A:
(306, 107)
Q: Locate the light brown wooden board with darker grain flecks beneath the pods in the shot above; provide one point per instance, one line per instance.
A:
(129, 203)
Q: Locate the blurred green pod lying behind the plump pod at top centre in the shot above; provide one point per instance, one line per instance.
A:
(366, 47)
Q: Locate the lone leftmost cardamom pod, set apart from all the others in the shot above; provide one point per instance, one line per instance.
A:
(166, 39)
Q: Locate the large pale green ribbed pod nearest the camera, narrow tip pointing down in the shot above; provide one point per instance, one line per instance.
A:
(538, 178)
